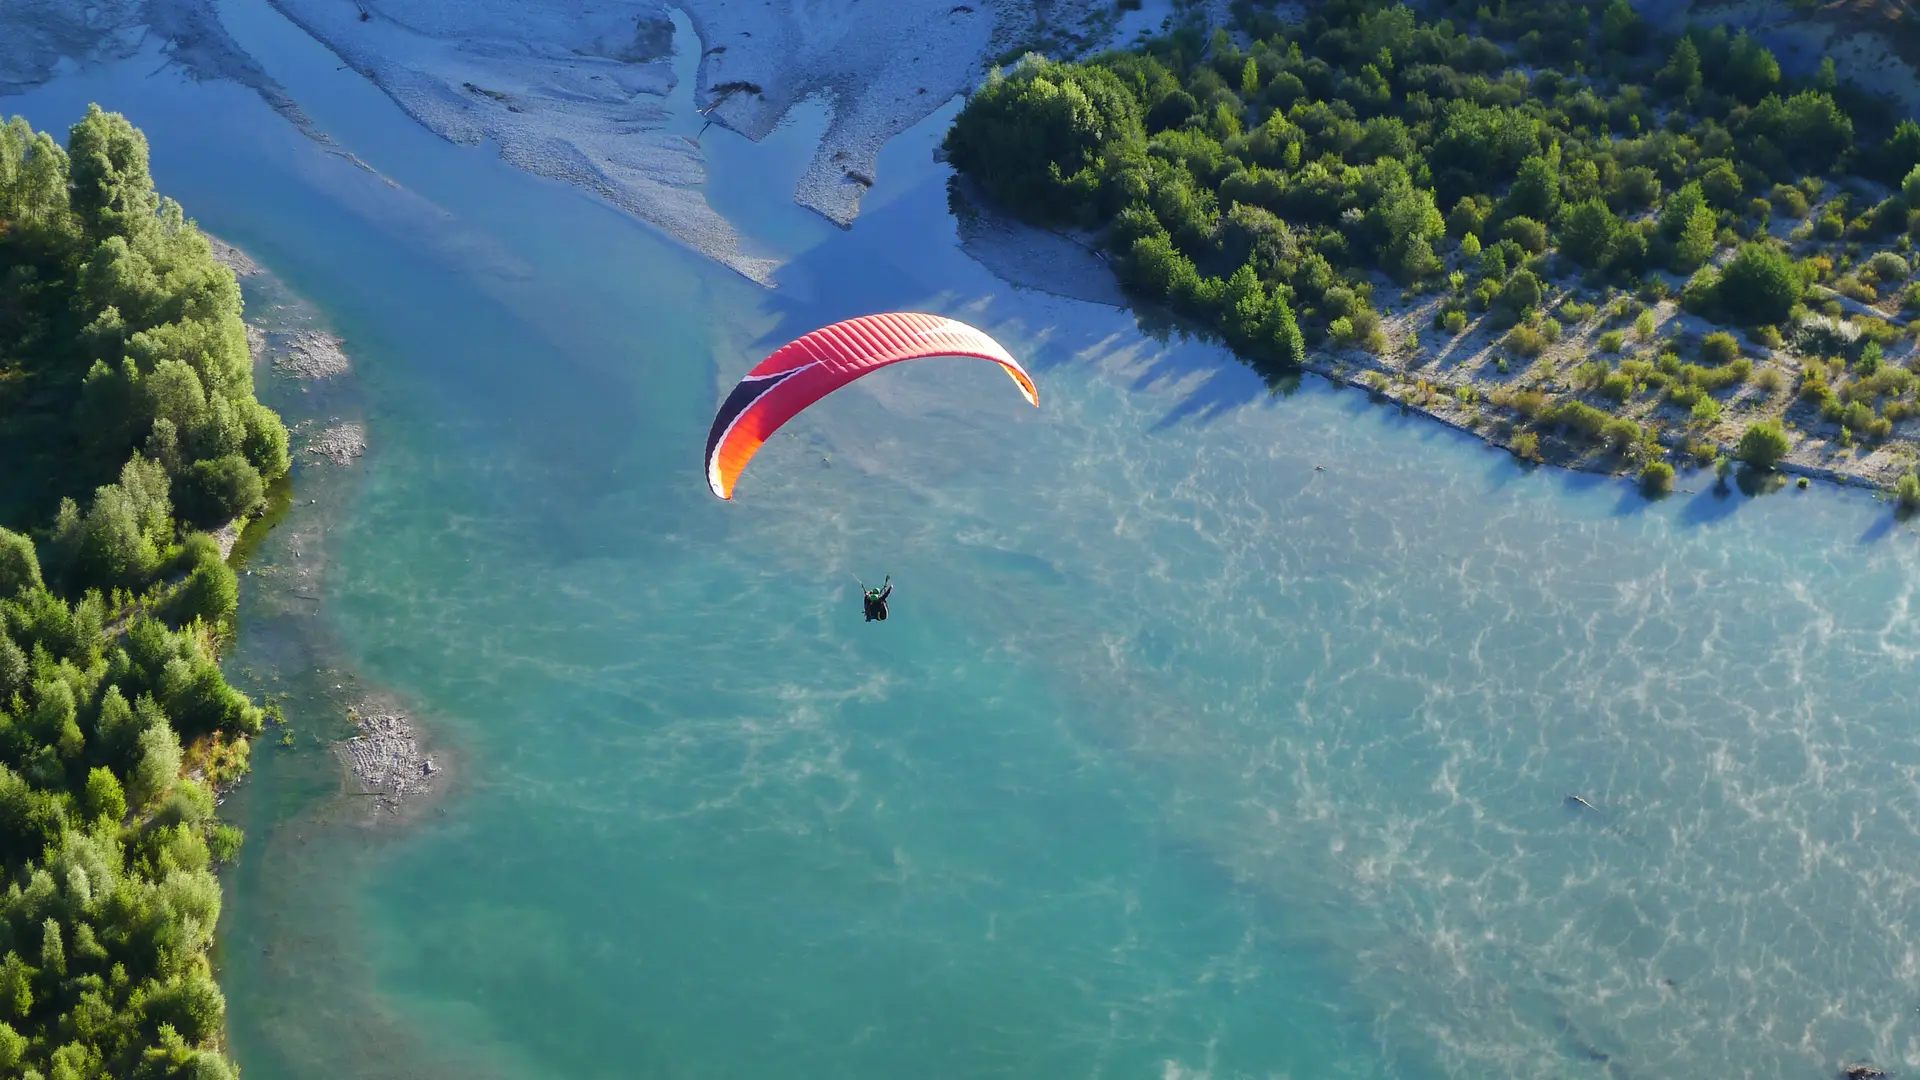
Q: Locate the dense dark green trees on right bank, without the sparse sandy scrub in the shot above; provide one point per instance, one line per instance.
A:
(1262, 178)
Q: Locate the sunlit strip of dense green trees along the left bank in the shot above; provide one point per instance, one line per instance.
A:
(130, 435)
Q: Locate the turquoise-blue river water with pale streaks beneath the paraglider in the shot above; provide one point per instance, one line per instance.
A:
(1178, 758)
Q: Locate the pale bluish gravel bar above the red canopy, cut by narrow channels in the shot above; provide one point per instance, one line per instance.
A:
(587, 91)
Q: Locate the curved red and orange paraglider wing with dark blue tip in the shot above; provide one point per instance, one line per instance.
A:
(807, 370)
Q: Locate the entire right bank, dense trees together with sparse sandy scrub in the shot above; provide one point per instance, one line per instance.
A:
(1545, 224)
